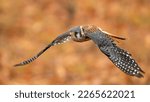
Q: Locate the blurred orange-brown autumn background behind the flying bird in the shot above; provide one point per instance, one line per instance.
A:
(27, 26)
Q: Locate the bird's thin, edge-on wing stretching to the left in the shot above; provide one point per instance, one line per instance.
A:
(59, 40)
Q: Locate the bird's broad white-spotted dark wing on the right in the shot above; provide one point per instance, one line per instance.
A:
(121, 58)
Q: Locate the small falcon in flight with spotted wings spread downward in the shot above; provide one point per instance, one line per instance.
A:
(104, 41)
